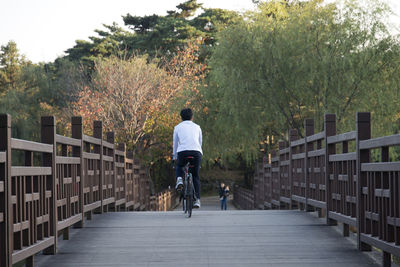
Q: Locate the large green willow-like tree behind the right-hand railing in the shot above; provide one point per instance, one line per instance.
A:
(297, 60)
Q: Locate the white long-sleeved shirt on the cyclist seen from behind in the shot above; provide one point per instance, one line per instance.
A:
(187, 136)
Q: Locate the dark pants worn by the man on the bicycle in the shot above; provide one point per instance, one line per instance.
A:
(196, 161)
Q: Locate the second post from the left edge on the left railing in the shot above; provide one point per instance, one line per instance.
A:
(48, 136)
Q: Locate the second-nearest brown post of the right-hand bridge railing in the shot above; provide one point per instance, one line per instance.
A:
(330, 130)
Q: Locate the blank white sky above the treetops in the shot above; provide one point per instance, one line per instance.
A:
(44, 29)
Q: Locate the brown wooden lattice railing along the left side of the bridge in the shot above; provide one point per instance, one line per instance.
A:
(58, 182)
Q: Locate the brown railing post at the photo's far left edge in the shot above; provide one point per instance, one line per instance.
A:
(6, 233)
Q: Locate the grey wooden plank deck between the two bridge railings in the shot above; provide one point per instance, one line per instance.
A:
(233, 238)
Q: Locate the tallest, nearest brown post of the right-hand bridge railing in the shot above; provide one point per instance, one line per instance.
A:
(363, 129)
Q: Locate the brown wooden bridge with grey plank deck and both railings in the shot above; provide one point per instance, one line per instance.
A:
(90, 190)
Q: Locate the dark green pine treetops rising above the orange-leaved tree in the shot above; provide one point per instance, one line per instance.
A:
(154, 34)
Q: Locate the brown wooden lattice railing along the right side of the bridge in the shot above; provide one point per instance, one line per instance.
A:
(335, 175)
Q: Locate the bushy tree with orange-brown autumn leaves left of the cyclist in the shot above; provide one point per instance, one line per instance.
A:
(133, 96)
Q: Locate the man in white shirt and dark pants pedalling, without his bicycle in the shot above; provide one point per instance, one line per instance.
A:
(187, 143)
